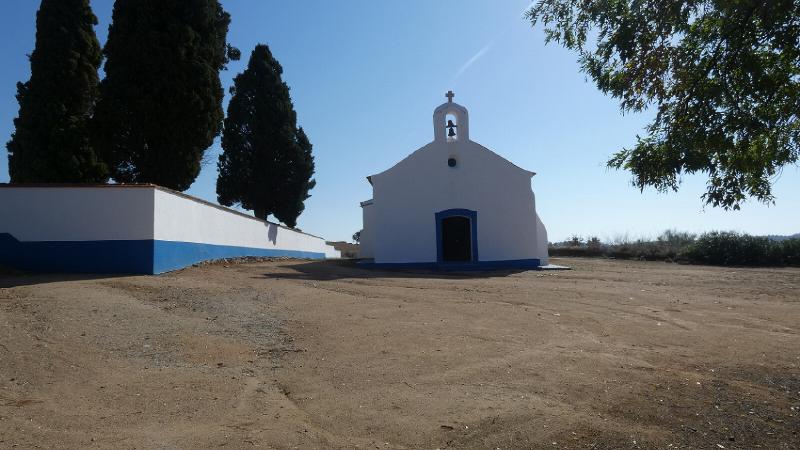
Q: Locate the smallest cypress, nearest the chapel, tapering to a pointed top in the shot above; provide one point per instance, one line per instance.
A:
(266, 165)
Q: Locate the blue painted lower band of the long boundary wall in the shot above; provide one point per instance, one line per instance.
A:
(122, 256)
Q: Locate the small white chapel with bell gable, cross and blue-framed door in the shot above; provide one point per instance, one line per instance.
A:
(453, 203)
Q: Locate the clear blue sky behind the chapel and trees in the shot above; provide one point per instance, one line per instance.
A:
(366, 76)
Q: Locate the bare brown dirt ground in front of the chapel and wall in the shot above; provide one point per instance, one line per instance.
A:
(298, 354)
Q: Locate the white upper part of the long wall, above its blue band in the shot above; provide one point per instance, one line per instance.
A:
(138, 213)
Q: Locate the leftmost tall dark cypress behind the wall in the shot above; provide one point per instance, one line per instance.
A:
(51, 142)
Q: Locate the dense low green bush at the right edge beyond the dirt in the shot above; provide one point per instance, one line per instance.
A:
(734, 249)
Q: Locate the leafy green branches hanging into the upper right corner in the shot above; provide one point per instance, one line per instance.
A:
(723, 77)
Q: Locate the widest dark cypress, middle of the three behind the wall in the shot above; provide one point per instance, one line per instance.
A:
(160, 103)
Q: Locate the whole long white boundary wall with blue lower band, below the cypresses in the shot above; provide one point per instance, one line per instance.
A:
(133, 229)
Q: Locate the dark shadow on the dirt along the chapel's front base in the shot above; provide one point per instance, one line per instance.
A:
(329, 270)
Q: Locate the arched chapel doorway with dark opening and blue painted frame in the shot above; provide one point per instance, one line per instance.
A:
(456, 236)
